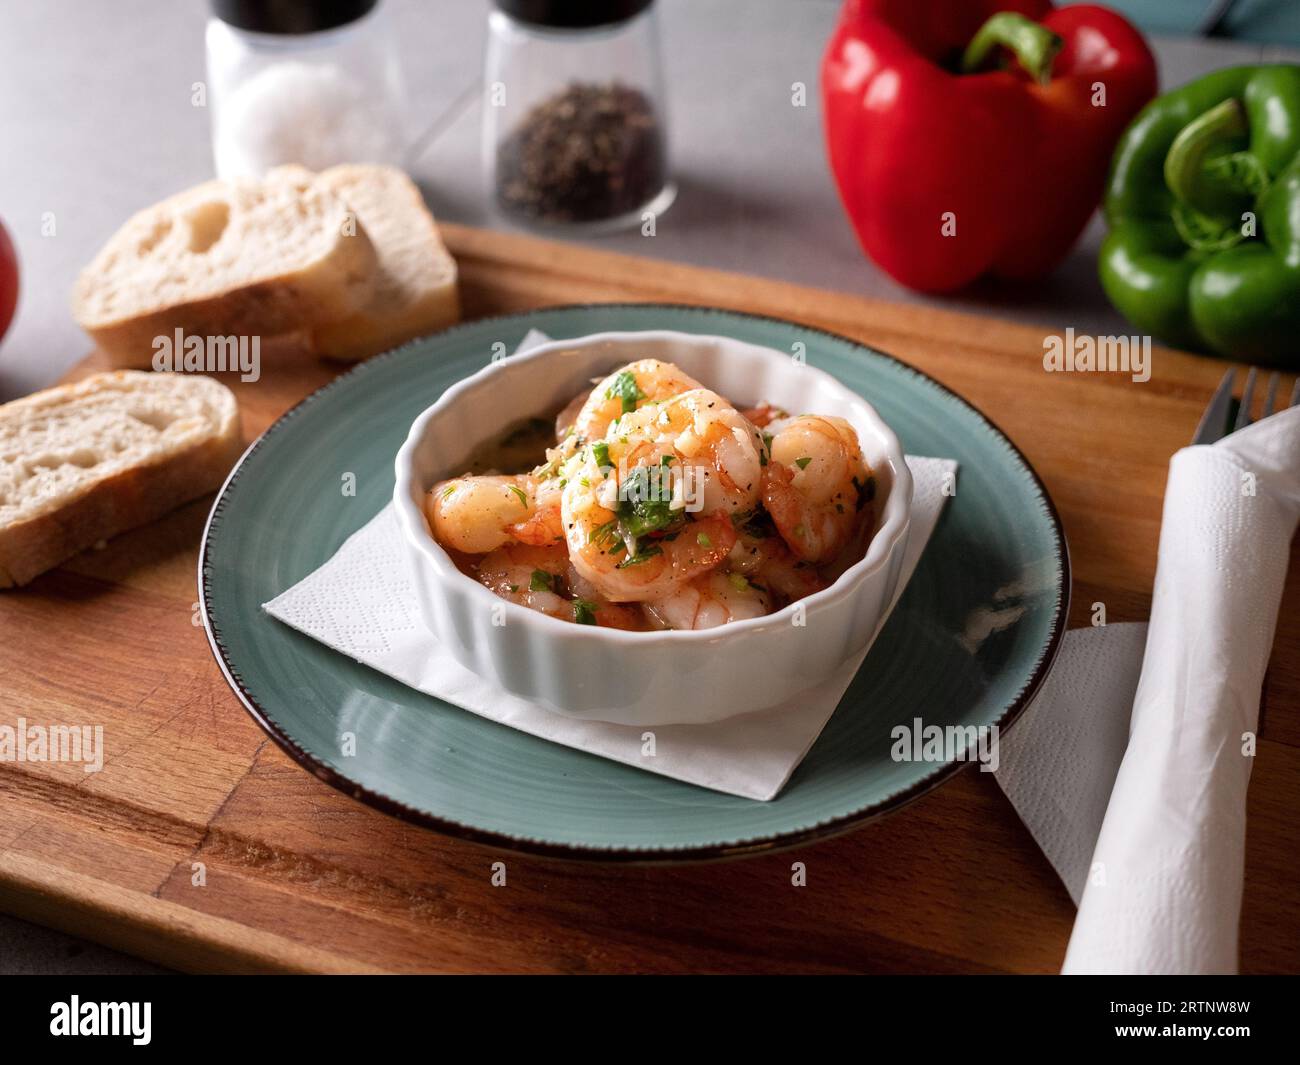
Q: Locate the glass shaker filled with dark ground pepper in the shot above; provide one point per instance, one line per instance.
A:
(574, 114)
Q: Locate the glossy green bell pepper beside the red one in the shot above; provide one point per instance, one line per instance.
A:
(1204, 209)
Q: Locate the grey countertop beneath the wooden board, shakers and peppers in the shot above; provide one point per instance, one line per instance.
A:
(96, 105)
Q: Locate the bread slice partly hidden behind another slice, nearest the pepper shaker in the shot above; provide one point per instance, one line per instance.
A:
(415, 291)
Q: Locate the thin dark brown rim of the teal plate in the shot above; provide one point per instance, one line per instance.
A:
(625, 855)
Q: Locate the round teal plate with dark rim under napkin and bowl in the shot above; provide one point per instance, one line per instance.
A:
(969, 643)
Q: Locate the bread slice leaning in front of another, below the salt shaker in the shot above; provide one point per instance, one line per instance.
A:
(227, 258)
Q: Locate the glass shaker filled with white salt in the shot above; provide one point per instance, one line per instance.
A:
(314, 83)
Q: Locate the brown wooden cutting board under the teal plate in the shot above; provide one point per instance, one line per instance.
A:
(203, 847)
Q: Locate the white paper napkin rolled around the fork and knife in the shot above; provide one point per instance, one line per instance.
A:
(1160, 874)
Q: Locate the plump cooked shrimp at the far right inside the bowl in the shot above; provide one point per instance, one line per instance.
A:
(817, 486)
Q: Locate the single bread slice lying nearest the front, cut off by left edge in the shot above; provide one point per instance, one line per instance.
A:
(84, 462)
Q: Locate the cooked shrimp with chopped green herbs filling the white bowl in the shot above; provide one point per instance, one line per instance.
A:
(652, 503)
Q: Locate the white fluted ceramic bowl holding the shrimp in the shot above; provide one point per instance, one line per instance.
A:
(645, 678)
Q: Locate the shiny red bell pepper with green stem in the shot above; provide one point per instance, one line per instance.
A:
(952, 167)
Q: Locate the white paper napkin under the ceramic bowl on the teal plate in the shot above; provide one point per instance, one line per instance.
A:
(362, 605)
